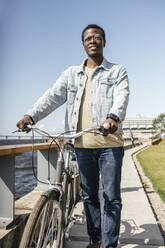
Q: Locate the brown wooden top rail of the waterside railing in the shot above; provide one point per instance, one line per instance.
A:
(16, 149)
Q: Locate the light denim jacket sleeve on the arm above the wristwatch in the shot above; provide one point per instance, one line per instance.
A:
(121, 95)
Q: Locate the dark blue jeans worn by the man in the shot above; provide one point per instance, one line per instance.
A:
(108, 162)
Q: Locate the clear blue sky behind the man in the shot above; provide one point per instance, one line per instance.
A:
(41, 38)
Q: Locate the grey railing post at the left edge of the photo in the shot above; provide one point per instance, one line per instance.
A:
(7, 183)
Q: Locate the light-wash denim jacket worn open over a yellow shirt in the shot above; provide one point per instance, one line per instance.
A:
(109, 94)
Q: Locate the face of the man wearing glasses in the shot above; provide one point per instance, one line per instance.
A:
(93, 42)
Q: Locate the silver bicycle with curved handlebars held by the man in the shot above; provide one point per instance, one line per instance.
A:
(50, 218)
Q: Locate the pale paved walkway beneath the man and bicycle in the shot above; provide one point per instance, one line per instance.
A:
(139, 228)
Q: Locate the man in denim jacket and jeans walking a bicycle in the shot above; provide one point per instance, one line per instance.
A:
(96, 92)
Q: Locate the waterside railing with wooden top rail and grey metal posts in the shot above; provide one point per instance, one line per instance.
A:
(7, 174)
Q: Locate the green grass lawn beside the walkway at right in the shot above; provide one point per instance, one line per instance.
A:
(152, 161)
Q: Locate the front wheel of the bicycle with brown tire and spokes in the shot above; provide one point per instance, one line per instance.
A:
(44, 228)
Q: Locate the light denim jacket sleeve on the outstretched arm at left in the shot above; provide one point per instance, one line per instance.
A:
(51, 99)
